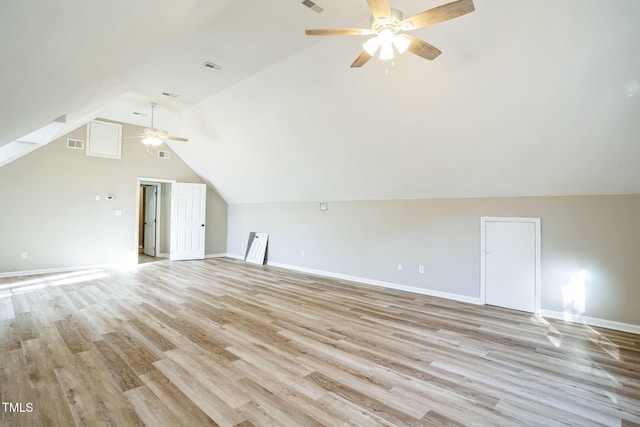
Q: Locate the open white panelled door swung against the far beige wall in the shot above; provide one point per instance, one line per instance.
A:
(188, 210)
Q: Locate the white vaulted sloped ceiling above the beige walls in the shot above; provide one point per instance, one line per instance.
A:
(528, 97)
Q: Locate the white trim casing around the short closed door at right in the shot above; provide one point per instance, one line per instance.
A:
(483, 258)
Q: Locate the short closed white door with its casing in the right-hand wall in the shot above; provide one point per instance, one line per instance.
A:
(511, 262)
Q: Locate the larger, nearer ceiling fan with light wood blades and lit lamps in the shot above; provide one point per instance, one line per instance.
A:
(389, 27)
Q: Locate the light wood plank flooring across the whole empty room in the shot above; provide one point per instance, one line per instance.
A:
(220, 342)
